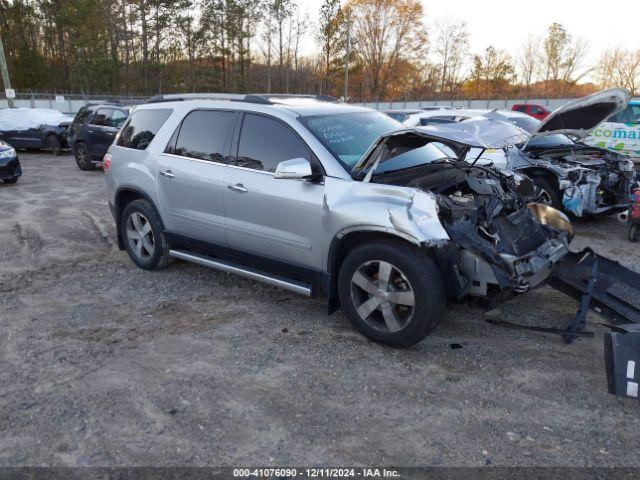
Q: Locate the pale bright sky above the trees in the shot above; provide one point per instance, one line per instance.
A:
(505, 24)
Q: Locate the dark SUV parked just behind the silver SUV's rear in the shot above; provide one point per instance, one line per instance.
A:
(93, 130)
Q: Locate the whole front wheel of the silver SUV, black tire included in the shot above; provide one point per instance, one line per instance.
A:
(391, 292)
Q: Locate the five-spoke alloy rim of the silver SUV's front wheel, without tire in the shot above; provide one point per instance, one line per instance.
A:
(383, 296)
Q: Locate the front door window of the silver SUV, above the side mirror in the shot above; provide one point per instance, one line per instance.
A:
(265, 142)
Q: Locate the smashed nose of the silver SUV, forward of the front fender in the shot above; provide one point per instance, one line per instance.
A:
(502, 246)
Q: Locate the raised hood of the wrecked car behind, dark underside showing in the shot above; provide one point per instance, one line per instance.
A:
(579, 117)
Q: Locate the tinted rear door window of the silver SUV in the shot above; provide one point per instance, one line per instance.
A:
(203, 135)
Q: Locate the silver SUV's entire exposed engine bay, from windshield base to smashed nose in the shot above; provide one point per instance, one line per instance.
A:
(498, 245)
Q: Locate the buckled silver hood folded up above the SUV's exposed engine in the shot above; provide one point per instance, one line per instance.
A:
(479, 132)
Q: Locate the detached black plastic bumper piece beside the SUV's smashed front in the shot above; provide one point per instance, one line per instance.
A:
(615, 294)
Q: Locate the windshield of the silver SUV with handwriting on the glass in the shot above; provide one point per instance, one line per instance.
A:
(348, 136)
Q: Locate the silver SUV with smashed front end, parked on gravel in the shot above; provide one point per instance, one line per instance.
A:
(308, 194)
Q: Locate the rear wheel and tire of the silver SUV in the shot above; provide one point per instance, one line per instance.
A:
(143, 236)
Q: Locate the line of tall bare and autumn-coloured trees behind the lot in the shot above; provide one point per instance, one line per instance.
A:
(143, 47)
